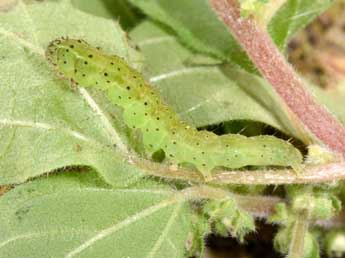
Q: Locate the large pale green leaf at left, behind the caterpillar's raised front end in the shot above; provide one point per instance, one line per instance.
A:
(44, 125)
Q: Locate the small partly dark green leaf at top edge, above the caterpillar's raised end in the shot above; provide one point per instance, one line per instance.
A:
(119, 9)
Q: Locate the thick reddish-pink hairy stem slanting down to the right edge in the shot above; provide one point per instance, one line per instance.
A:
(276, 70)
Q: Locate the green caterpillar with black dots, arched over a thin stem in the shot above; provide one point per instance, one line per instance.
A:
(161, 128)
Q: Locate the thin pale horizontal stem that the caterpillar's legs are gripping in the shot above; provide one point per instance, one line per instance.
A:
(311, 174)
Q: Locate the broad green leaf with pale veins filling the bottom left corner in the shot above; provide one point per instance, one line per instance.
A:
(69, 216)
